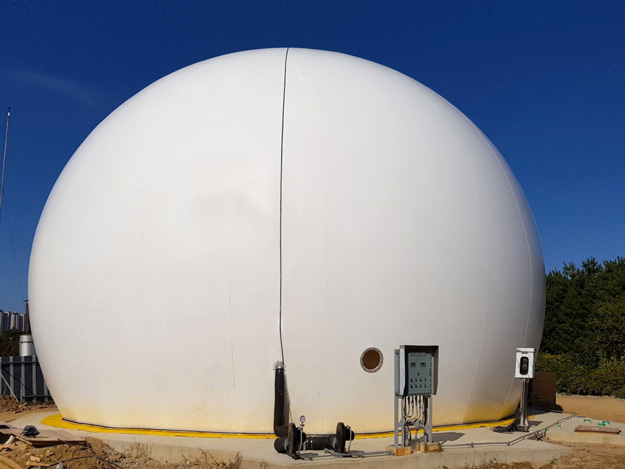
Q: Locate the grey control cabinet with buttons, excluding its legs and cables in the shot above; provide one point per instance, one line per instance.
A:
(416, 372)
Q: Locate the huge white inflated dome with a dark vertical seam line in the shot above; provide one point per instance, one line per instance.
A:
(155, 276)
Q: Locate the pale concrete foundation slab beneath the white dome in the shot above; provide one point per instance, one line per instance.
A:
(461, 447)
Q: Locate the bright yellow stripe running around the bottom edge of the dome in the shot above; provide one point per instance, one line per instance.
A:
(59, 422)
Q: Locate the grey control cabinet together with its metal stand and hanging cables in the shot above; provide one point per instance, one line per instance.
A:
(416, 381)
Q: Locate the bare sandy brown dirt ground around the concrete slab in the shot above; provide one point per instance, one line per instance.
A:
(96, 454)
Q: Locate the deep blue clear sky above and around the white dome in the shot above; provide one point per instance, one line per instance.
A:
(545, 81)
